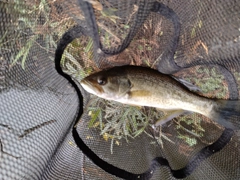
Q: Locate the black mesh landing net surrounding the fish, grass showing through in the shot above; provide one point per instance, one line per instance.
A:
(196, 41)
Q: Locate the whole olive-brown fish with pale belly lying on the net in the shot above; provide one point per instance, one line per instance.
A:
(142, 86)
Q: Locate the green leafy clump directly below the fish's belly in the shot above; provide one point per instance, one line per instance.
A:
(117, 121)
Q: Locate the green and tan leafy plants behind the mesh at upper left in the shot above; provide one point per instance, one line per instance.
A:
(44, 31)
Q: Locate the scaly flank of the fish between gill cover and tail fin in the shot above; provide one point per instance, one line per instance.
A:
(164, 92)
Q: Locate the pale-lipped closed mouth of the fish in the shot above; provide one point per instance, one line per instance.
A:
(91, 87)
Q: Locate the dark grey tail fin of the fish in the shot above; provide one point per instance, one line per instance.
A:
(227, 113)
